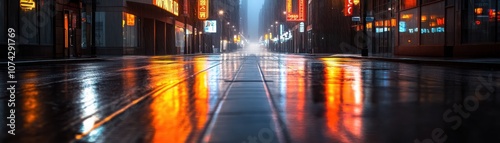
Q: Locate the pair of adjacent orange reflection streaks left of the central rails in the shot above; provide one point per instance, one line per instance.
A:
(173, 118)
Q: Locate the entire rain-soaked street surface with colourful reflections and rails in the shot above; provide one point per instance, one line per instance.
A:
(252, 98)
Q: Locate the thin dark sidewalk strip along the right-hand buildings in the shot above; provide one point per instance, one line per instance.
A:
(474, 62)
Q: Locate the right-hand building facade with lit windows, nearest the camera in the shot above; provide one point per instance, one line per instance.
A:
(438, 28)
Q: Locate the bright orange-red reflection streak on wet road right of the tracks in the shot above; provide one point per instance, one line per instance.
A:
(343, 89)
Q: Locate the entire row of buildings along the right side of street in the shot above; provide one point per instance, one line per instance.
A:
(439, 28)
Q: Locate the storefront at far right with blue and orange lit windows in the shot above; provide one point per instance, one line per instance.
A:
(446, 28)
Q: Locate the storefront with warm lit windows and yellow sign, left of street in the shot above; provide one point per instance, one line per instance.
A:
(147, 27)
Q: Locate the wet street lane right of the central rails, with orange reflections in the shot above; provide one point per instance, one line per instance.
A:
(352, 100)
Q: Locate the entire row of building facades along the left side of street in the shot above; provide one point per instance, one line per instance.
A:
(65, 28)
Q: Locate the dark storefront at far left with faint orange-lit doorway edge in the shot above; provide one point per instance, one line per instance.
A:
(44, 28)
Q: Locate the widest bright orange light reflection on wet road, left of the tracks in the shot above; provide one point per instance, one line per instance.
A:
(166, 113)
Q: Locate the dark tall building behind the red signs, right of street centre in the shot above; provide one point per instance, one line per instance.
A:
(328, 30)
